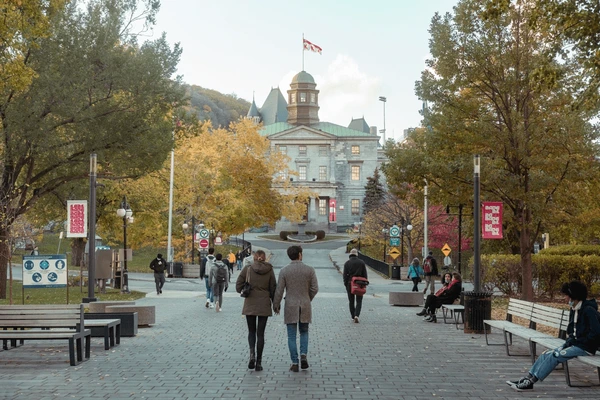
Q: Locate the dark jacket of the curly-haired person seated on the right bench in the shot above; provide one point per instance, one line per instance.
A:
(587, 327)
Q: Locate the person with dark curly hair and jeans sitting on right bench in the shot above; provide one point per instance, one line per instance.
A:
(583, 337)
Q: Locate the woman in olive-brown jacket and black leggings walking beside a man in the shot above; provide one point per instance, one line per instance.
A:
(258, 305)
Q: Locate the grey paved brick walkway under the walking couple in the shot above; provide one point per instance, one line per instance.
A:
(195, 353)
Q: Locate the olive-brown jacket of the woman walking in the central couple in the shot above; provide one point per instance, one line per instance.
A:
(262, 279)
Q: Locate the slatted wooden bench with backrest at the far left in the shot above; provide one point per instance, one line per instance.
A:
(37, 319)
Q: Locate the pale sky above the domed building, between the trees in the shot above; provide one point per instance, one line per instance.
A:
(370, 49)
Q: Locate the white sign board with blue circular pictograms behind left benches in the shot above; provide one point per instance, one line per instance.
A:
(45, 271)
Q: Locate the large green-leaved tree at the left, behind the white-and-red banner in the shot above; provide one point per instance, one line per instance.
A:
(95, 90)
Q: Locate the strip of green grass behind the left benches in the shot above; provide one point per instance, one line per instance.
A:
(59, 295)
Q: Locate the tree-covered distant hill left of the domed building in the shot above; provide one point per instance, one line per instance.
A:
(221, 109)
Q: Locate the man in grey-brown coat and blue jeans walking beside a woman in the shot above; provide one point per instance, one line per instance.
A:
(299, 282)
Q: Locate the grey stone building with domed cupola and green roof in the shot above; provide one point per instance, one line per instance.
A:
(331, 160)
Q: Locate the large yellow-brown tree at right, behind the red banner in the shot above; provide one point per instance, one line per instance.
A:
(493, 89)
